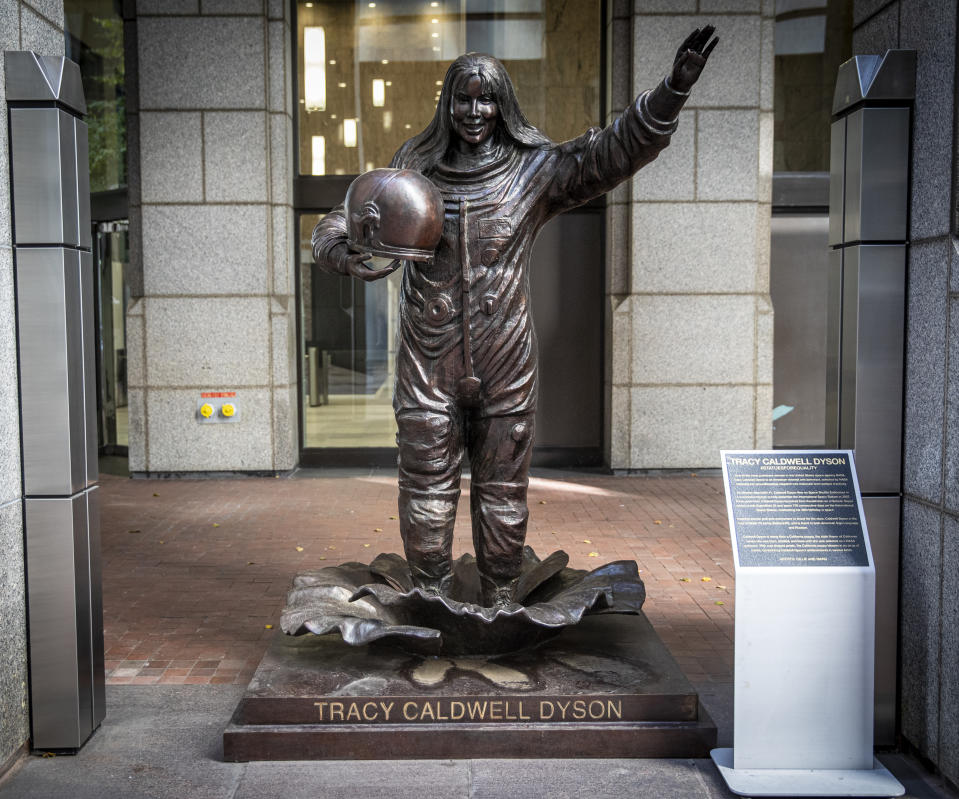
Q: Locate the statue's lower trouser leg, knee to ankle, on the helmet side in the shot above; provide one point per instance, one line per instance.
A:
(430, 464)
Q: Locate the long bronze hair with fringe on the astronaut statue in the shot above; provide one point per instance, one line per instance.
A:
(425, 150)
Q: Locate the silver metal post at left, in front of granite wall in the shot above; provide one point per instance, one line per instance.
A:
(54, 294)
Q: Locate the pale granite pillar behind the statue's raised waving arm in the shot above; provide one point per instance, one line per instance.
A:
(689, 318)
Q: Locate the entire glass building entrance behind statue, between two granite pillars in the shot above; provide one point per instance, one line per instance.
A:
(368, 78)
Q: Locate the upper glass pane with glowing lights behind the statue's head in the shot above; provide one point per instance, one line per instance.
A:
(369, 73)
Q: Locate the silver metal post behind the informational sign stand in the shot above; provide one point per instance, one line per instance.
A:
(868, 213)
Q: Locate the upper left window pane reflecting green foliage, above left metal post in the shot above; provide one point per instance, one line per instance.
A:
(94, 39)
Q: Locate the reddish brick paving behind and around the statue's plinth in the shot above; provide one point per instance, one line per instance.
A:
(195, 570)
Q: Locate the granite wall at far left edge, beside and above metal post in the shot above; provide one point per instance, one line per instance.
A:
(36, 26)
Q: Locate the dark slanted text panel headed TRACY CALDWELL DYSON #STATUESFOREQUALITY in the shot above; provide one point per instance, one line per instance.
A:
(794, 508)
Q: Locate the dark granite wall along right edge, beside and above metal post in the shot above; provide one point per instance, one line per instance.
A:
(929, 611)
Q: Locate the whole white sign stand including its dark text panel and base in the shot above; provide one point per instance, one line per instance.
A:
(804, 636)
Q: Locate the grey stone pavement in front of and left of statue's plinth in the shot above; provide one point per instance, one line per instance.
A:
(164, 742)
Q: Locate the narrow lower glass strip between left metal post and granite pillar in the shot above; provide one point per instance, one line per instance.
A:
(113, 298)
